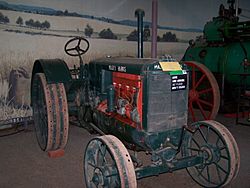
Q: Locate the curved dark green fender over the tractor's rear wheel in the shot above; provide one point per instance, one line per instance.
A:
(55, 71)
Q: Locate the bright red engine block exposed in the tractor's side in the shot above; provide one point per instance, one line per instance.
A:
(128, 99)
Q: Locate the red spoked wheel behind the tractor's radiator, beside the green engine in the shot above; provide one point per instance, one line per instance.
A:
(204, 93)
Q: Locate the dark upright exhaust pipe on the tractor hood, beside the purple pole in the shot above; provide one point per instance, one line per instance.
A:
(139, 13)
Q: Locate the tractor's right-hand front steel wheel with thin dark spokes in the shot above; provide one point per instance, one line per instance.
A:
(219, 149)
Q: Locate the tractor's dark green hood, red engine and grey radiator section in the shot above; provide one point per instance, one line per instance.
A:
(139, 96)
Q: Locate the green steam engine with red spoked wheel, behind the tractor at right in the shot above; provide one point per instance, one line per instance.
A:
(224, 49)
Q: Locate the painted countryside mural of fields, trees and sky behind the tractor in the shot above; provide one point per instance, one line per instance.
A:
(31, 29)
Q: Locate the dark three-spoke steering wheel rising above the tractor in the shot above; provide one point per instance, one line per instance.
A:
(77, 50)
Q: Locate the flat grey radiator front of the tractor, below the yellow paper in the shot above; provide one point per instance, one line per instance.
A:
(166, 110)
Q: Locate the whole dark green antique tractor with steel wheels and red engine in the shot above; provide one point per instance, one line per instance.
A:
(138, 105)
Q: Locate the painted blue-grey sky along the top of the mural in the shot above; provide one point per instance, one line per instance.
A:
(176, 13)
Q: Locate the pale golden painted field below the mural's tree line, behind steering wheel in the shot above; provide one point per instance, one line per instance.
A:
(19, 49)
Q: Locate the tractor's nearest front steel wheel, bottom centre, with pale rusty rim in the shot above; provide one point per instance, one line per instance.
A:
(107, 163)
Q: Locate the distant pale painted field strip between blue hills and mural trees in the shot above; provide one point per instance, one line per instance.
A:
(76, 24)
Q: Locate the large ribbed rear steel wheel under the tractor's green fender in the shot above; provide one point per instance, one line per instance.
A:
(50, 112)
